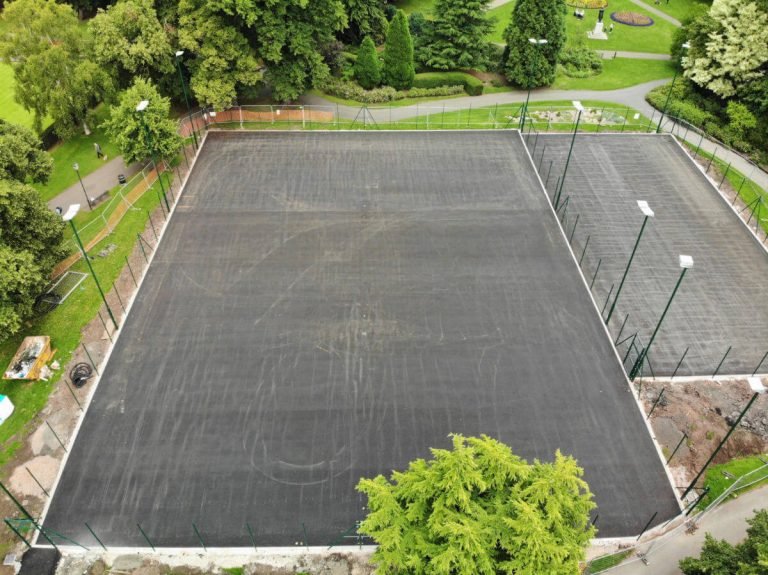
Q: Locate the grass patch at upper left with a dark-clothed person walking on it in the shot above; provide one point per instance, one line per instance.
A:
(79, 149)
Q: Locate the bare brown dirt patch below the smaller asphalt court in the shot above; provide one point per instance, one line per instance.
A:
(704, 411)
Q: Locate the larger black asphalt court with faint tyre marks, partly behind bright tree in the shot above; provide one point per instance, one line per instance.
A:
(328, 306)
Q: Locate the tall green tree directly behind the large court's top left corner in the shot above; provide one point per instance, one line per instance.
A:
(222, 61)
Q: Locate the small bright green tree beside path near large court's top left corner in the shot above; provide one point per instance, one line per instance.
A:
(141, 134)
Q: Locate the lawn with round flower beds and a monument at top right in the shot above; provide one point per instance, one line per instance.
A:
(656, 38)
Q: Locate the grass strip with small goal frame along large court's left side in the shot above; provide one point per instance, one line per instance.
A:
(64, 326)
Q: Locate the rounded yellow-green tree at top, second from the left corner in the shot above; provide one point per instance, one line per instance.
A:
(130, 41)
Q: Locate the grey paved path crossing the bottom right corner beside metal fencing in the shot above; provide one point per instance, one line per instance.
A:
(727, 522)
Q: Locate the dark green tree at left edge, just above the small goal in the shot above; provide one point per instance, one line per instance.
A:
(31, 237)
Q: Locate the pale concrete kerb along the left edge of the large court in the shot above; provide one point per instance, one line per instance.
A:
(105, 360)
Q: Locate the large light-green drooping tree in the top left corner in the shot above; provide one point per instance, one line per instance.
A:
(49, 55)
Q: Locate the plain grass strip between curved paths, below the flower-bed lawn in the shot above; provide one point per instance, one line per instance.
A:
(619, 73)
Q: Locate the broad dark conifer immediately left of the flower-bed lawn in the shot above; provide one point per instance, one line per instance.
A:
(527, 65)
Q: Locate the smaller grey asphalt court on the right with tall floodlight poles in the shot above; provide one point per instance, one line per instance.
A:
(721, 301)
